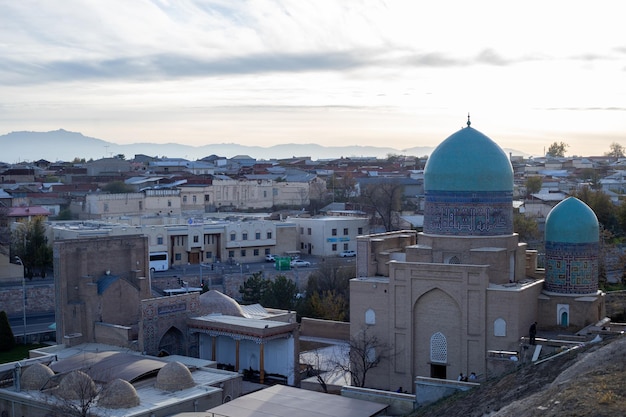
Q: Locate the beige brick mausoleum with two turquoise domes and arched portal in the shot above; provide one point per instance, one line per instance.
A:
(447, 298)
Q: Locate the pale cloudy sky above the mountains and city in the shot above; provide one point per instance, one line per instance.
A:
(332, 72)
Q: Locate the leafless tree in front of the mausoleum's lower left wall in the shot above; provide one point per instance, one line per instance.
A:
(365, 352)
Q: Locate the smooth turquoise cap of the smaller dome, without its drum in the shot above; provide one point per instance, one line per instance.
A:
(572, 221)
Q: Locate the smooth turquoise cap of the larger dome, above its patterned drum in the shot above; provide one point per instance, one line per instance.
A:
(468, 161)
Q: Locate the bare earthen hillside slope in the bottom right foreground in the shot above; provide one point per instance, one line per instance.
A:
(590, 381)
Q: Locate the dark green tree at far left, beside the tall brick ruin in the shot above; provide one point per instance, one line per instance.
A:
(30, 243)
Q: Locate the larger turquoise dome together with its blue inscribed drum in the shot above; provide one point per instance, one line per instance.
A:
(468, 184)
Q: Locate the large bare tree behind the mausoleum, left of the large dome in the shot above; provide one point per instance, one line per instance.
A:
(385, 199)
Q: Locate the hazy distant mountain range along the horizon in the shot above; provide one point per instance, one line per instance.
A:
(61, 145)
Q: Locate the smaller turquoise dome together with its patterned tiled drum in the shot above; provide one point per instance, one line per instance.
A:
(572, 247)
